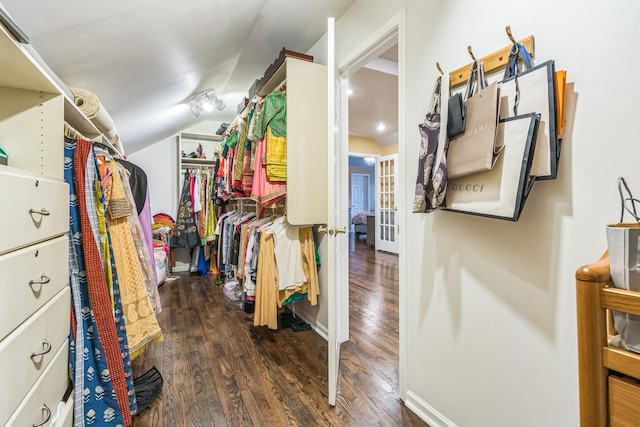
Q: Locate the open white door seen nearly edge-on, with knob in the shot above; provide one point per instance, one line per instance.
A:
(337, 262)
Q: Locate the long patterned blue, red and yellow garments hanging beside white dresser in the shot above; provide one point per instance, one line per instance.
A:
(104, 330)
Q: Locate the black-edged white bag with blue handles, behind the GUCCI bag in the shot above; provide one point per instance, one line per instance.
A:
(533, 90)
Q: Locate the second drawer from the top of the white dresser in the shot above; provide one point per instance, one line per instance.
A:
(20, 272)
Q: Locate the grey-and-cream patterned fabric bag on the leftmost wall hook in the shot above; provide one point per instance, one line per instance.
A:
(431, 183)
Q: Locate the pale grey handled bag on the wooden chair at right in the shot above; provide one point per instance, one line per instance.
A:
(623, 243)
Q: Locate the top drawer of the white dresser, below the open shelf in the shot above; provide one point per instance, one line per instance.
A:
(33, 209)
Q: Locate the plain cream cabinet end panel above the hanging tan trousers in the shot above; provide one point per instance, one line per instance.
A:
(306, 142)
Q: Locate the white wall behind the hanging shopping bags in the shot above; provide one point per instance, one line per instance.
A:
(490, 305)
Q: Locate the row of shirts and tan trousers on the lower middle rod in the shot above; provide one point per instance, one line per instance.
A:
(275, 262)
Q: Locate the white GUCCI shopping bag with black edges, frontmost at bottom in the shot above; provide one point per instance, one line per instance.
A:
(501, 192)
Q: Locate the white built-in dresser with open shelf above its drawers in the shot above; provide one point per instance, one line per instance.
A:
(34, 216)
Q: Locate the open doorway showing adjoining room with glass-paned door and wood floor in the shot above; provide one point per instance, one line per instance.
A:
(373, 131)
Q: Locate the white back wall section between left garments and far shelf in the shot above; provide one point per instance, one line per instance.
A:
(160, 163)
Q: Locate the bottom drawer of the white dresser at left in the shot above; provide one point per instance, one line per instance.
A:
(44, 397)
